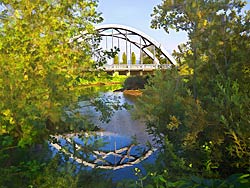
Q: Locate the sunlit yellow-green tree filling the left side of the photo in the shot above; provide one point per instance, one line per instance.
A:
(39, 72)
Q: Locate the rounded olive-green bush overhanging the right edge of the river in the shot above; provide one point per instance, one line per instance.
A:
(175, 120)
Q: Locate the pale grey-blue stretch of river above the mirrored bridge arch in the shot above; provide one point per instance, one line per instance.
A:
(121, 121)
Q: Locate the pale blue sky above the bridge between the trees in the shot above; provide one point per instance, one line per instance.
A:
(136, 14)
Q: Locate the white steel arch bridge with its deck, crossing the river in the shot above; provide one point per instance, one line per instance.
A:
(140, 40)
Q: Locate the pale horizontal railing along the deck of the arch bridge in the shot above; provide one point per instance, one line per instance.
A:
(135, 67)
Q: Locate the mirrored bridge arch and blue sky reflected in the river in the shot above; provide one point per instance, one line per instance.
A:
(102, 150)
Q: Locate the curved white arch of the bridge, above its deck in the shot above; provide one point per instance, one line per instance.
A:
(124, 32)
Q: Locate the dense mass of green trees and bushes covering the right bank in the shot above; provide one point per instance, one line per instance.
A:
(203, 130)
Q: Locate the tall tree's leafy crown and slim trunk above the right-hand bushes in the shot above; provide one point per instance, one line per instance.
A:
(202, 20)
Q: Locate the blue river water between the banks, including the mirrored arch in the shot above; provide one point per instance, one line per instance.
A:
(125, 143)
